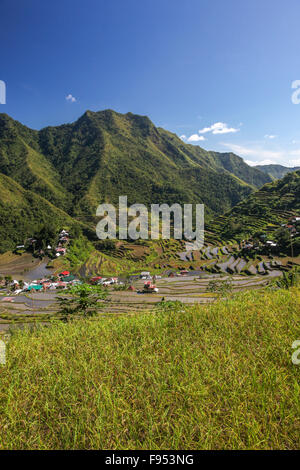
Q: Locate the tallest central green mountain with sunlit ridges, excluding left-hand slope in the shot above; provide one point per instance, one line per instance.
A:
(107, 154)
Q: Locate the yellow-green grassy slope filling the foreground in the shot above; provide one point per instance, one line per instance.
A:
(215, 377)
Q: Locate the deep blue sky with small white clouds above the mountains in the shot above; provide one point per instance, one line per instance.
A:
(224, 68)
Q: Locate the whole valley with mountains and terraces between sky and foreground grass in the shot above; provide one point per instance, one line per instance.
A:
(52, 180)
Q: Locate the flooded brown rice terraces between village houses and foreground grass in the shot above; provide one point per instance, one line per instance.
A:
(42, 307)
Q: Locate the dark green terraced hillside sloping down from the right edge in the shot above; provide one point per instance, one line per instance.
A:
(263, 210)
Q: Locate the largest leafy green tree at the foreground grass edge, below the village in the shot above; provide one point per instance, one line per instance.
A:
(82, 300)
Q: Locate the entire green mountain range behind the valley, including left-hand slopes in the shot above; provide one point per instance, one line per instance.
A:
(75, 167)
